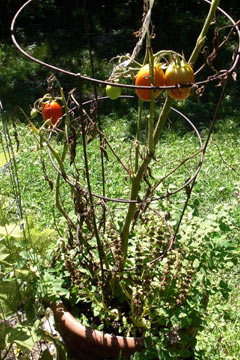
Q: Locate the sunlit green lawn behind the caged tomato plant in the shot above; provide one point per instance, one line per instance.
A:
(217, 187)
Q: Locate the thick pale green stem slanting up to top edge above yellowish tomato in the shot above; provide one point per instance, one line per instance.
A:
(202, 37)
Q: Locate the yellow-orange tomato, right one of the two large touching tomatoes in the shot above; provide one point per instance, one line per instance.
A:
(179, 74)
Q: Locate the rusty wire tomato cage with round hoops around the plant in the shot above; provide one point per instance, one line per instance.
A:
(221, 76)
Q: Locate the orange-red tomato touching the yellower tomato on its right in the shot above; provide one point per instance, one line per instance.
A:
(144, 79)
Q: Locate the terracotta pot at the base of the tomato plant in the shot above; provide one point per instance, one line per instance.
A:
(85, 343)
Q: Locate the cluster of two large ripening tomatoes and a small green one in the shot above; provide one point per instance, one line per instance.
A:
(177, 73)
